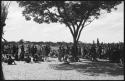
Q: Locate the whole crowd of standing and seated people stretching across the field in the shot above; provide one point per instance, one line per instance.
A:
(24, 52)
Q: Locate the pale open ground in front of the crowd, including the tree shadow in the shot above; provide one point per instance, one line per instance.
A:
(54, 70)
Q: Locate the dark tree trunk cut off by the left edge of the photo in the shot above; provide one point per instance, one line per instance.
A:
(4, 13)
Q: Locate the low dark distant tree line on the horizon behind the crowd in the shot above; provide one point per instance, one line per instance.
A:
(58, 43)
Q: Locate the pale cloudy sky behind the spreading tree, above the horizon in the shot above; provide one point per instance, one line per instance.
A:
(108, 28)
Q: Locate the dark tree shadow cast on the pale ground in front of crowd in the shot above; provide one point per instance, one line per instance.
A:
(93, 68)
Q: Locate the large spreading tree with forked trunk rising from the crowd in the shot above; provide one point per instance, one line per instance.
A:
(74, 14)
